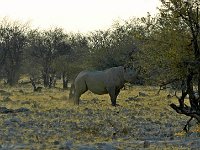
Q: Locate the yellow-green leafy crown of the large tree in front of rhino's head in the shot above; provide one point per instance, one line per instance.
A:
(166, 46)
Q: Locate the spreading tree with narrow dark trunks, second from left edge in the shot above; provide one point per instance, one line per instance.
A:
(44, 48)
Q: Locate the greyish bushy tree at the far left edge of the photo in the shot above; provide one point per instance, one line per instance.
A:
(13, 41)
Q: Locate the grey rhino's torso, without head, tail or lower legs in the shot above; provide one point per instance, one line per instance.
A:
(99, 81)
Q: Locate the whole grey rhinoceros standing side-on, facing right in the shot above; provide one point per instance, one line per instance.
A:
(108, 81)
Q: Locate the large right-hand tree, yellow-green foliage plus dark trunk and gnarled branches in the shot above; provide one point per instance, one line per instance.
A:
(170, 50)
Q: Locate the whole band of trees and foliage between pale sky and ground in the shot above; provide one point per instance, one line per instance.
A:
(163, 46)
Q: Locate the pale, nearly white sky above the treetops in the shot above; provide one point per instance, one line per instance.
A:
(75, 15)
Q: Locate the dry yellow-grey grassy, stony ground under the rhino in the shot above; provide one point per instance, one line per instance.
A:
(48, 120)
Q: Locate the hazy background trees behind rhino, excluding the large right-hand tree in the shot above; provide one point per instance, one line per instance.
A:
(53, 53)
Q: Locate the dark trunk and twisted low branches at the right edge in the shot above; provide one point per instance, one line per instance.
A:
(188, 12)
